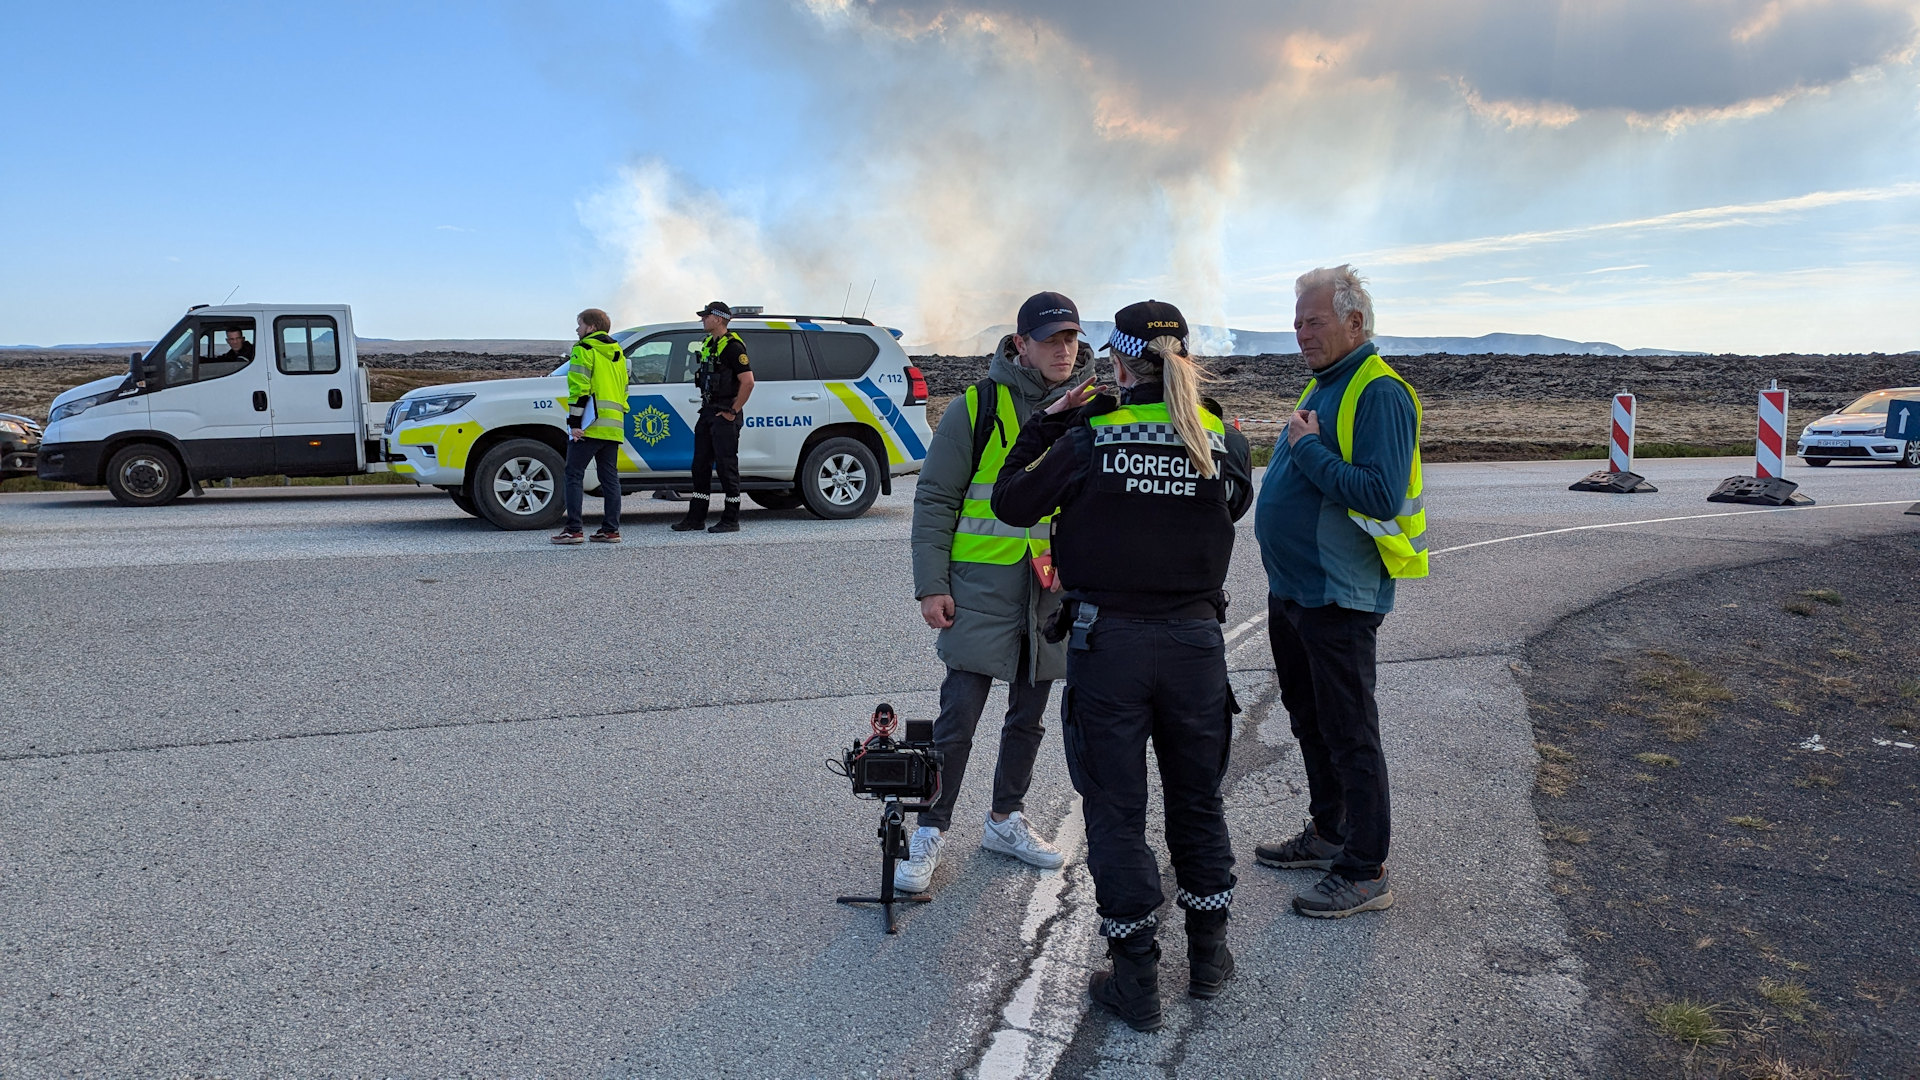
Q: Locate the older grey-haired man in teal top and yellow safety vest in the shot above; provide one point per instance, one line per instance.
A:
(1337, 522)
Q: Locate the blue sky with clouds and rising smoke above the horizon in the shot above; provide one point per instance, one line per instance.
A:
(1687, 174)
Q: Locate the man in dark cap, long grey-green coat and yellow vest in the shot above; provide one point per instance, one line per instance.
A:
(980, 585)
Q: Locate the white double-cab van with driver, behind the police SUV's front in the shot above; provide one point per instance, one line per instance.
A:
(231, 391)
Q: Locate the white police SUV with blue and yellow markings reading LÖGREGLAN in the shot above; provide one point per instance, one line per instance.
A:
(838, 410)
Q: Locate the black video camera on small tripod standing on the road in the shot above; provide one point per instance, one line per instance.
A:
(903, 775)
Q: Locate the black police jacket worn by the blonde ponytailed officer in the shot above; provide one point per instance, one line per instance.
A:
(1132, 552)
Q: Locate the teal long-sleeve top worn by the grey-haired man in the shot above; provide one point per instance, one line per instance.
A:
(1314, 552)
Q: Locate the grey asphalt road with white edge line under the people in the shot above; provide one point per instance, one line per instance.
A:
(348, 783)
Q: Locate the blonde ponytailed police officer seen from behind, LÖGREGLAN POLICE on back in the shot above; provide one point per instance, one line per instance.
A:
(1147, 493)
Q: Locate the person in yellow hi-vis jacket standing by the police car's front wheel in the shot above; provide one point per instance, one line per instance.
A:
(596, 426)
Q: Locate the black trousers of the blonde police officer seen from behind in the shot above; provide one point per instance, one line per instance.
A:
(1163, 681)
